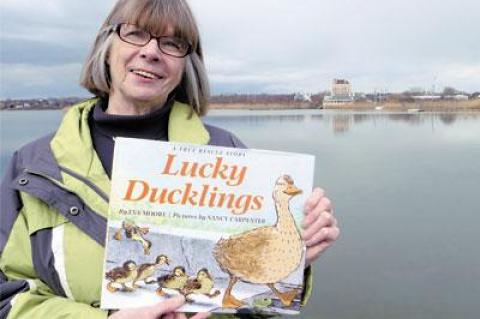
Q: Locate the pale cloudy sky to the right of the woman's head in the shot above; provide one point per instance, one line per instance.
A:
(303, 45)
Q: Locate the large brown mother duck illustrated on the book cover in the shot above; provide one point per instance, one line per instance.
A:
(264, 255)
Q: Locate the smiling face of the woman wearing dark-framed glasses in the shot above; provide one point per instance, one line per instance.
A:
(141, 77)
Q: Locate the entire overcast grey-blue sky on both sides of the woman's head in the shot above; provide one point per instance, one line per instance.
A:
(263, 46)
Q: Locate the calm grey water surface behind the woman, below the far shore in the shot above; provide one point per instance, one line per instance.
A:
(406, 193)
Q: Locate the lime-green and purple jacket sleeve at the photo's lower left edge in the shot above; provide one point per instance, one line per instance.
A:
(22, 293)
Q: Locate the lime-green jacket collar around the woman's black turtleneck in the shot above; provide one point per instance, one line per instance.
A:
(73, 149)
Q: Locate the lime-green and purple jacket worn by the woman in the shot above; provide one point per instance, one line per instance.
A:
(53, 212)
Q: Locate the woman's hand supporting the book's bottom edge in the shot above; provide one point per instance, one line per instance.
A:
(161, 310)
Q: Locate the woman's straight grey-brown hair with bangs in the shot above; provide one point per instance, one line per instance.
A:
(154, 16)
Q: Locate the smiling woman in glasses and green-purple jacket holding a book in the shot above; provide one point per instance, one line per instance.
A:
(147, 74)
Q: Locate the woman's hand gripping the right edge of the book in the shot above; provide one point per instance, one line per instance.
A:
(319, 224)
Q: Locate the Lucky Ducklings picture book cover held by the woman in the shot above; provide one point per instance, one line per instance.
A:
(218, 225)
